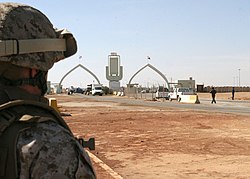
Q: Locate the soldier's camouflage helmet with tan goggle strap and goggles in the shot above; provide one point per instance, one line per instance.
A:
(19, 25)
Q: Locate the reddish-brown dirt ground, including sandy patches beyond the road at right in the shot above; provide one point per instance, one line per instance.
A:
(149, 142)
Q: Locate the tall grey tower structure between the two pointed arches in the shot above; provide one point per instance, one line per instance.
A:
(114, 71)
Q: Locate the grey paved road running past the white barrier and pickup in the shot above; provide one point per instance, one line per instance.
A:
(224, 106)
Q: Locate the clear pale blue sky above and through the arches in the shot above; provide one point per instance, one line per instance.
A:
(208, 40)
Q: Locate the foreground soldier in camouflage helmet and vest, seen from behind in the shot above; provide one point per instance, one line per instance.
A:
(35, 142)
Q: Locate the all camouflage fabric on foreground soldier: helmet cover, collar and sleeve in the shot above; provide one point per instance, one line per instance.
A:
(46, 150)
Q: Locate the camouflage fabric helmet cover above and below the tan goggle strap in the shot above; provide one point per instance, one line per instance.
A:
(19, 22)
